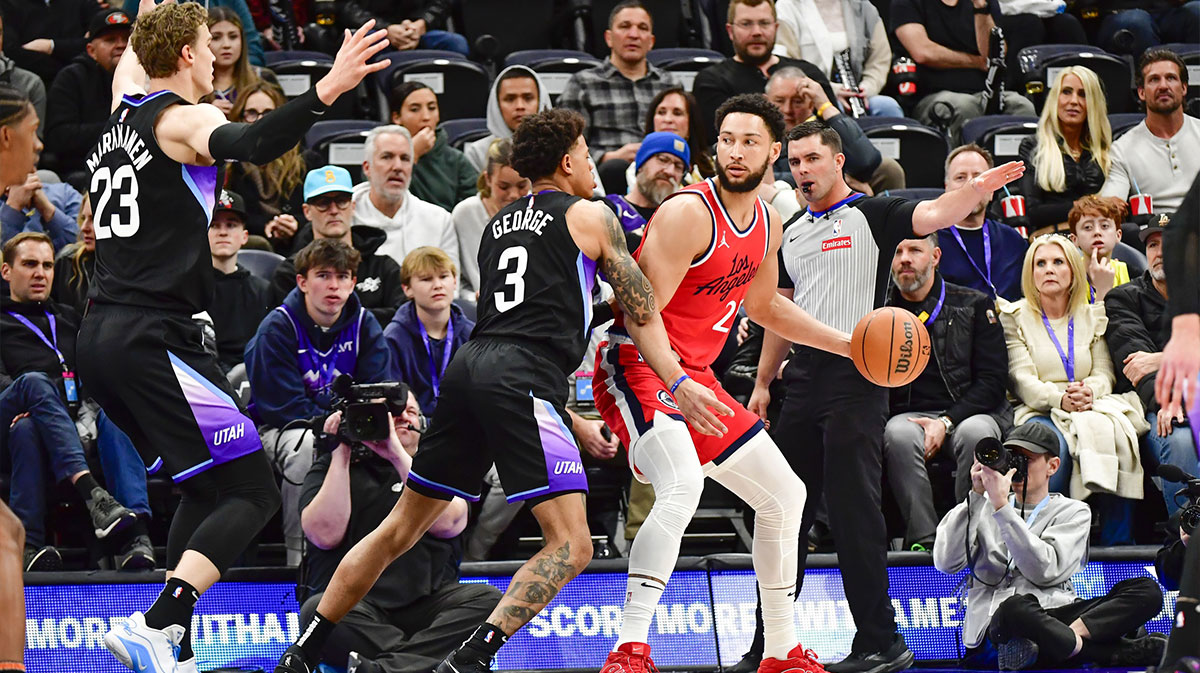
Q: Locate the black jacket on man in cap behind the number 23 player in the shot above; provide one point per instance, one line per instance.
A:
(76, 111)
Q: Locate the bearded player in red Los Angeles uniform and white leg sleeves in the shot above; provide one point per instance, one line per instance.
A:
(711, 249)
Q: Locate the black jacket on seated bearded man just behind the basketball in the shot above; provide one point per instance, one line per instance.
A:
(969, 347)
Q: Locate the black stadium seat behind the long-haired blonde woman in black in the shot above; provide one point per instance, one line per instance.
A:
(1041, 64)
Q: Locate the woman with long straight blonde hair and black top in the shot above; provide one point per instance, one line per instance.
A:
(1071, 154)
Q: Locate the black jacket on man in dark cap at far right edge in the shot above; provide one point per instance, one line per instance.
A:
(1138, 321)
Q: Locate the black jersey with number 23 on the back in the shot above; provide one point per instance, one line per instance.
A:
(152, 214)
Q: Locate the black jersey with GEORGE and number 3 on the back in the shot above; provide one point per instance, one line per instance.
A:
(536, 285)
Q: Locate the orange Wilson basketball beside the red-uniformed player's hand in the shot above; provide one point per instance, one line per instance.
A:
(890, 347)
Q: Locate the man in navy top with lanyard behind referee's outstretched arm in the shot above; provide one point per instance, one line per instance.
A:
(980, 253)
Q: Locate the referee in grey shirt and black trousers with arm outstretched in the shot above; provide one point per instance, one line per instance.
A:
(835, 263)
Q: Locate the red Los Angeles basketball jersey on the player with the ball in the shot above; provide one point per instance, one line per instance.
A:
(705, 308)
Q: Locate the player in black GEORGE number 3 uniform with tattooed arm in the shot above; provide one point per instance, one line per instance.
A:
(505, 393)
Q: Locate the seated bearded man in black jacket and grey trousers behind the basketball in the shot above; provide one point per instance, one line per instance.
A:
(957, 401)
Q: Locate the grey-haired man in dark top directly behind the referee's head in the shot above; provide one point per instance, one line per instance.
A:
(802, 99)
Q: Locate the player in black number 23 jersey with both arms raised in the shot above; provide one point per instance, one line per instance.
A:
(154, 178)
